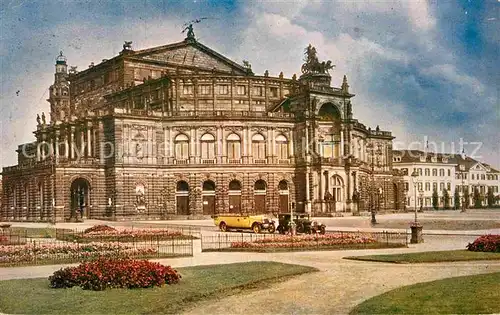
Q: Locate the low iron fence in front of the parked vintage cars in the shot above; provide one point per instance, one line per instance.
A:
(332, 240)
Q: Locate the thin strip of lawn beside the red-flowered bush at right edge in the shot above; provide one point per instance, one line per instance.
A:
(429, 257)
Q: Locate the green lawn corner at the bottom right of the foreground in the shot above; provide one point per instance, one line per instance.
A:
(477, 294)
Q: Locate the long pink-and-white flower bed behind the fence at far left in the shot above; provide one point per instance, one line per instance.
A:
(32, 253)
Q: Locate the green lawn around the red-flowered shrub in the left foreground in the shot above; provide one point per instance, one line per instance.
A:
(33, 296)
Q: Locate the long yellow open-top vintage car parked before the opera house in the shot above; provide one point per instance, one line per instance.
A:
(257, 223)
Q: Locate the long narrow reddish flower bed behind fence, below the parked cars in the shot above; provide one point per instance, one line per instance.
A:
(302, 241)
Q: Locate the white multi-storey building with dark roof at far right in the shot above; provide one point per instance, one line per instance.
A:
(453, 178)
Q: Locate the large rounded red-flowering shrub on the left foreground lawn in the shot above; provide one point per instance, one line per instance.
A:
(105, 273)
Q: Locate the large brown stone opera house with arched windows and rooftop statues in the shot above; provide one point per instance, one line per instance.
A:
(182, 131)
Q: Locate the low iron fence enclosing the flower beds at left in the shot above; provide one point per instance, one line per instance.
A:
(70, 247)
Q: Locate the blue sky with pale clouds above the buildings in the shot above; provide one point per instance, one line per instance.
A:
(420, 69)
